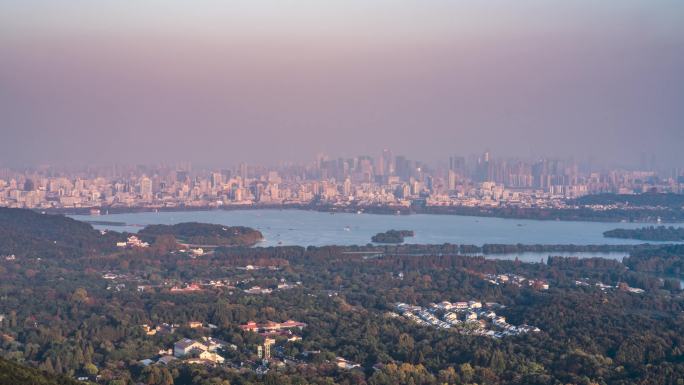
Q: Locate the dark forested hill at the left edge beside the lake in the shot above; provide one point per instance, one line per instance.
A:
(28, 233)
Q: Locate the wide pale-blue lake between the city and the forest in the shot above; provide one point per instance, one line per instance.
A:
(313, 228)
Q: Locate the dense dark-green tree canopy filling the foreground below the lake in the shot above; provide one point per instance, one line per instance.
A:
(61, 315)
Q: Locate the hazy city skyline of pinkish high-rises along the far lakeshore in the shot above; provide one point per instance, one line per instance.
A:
(387, 182)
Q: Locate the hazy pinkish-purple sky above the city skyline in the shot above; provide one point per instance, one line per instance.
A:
(215, 81)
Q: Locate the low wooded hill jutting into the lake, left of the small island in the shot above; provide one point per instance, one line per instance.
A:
(205, 234)
